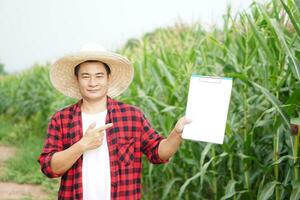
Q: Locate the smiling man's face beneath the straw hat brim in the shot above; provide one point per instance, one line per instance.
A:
(93, 81)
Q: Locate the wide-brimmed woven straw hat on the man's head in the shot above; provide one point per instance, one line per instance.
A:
(62, 71)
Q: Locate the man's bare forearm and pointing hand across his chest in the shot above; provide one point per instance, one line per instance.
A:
(63, 160)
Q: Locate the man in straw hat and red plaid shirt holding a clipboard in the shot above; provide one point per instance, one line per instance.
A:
(96, 145)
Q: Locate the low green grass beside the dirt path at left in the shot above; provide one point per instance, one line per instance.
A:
(23, 167)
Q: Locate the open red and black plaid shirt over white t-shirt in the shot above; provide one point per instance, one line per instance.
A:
(130, 136)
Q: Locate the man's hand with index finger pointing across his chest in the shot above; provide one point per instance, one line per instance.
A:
(93, 138)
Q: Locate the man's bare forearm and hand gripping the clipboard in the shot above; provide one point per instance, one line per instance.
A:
(168, 147)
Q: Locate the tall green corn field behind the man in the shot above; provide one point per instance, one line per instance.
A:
(259, 48)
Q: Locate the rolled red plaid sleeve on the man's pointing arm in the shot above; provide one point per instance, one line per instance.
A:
(52, 144)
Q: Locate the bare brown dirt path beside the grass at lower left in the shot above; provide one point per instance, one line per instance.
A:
(14, 191)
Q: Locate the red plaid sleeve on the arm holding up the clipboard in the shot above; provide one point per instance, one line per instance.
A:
(150, 140)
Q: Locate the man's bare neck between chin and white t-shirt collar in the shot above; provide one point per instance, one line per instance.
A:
(92, 107)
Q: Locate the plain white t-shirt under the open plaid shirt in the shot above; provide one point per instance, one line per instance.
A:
(96, 166)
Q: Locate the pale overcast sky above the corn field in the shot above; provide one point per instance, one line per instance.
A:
(40, 31)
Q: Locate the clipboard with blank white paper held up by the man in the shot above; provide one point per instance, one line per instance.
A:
(207, 106)
